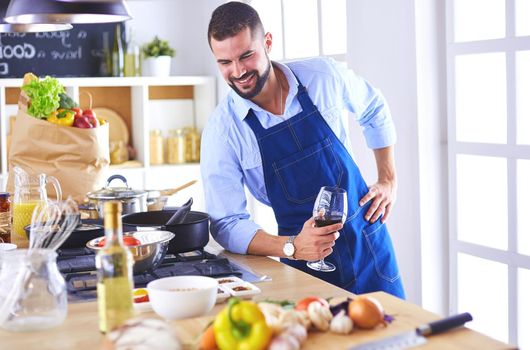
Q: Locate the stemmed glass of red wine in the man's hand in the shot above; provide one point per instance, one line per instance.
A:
(331, 207)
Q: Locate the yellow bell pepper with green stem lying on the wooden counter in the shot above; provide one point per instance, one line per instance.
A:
(241, 326)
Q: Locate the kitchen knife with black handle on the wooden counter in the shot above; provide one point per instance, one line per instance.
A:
(417, 337)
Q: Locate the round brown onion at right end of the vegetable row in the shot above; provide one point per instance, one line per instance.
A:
(366, 312)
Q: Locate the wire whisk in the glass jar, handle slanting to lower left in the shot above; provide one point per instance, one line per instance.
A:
(52, 224)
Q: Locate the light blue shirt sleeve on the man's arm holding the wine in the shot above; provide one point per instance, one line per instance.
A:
(224, 191)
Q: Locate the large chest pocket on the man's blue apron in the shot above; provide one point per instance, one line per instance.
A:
(302, 174)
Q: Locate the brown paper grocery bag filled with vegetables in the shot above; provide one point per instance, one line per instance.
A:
(78, 158)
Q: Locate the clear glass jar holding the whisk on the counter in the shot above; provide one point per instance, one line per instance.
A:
(33, 291)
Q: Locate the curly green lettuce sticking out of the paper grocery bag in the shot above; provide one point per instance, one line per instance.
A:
(44, 96)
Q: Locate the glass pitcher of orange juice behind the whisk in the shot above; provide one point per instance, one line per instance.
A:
(29, 192)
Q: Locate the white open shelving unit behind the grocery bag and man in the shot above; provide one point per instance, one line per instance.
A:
(144, 103)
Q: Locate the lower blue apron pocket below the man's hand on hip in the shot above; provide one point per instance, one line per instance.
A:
(378, 241)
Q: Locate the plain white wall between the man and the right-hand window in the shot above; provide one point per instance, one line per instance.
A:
(381, 42)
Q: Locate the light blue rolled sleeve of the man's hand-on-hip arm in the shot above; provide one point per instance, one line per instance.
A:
(369, 108)
